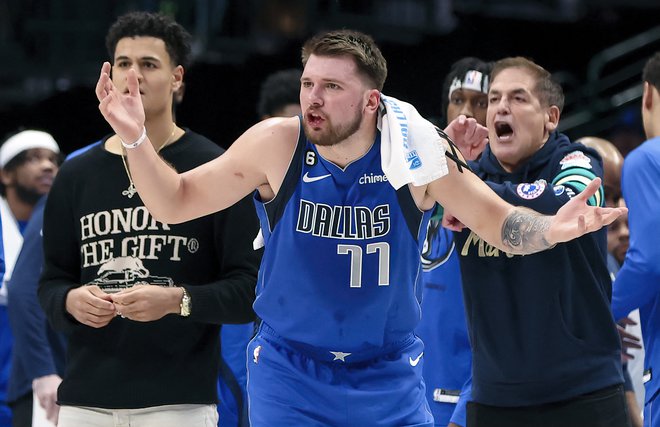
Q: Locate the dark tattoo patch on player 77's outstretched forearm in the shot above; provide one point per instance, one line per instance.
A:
(523, 232)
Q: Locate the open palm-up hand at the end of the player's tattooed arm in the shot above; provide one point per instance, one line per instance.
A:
(577, 218)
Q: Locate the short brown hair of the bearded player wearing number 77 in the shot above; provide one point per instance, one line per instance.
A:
(360, 46)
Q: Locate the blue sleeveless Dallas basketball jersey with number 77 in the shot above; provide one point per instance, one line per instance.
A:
(341, 269)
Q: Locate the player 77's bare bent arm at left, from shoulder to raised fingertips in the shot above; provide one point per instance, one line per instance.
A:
(258, 159)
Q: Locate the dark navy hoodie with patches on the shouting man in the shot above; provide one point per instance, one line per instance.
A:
(540, 325)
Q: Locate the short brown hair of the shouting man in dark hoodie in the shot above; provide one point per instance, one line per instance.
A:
(547, 89)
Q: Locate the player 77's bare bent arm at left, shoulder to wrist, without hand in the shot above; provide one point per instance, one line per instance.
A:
(257, 159)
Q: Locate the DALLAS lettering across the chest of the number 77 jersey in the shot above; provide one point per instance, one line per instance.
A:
(343, 222)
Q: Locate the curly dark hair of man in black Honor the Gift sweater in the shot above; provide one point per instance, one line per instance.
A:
(177, 40)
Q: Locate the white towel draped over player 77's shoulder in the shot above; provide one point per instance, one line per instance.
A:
(412, 152)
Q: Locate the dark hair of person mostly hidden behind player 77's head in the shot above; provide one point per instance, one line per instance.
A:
(277, 90)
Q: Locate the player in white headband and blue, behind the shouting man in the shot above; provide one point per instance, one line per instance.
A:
(447, 353)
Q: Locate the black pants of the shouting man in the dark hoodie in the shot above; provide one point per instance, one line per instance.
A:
(602, 408)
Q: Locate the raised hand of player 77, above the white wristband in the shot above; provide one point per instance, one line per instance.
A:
(123, 111)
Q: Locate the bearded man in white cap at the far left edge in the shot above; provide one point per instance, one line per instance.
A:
(29, 161)
